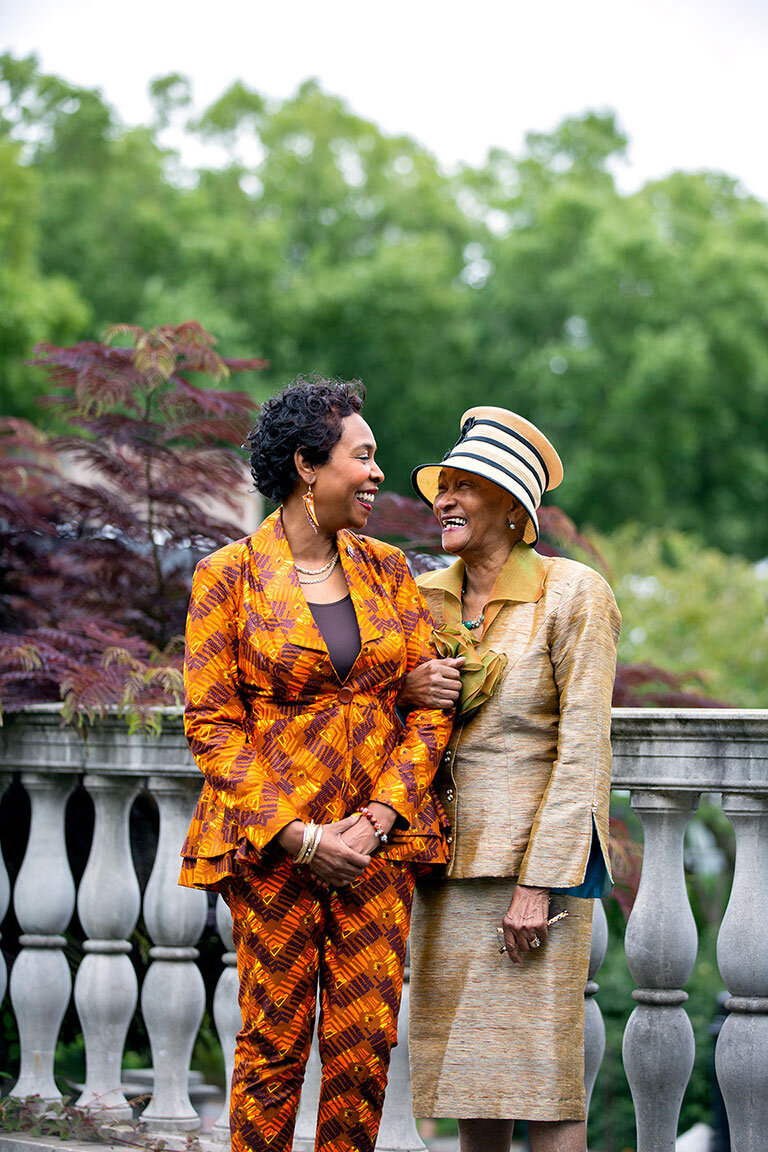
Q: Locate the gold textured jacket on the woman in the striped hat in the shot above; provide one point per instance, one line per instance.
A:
(527, 779)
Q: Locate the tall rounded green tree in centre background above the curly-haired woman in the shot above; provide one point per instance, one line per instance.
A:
(344, 252)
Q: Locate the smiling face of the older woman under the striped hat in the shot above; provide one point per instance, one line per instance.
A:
(475, 514)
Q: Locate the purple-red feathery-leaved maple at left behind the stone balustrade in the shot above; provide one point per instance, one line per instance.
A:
(101, 527)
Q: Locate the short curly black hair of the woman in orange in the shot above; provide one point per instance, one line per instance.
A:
(306, 415)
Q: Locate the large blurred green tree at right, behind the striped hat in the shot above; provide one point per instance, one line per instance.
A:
(634, 329)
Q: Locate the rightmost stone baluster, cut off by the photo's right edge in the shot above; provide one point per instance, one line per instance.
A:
(742, 1054)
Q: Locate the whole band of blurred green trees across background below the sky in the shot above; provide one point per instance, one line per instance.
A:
(634, 329)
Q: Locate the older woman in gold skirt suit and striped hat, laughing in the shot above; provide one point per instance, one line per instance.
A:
(497, 995)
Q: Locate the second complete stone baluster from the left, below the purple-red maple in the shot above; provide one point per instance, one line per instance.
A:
(109, 904)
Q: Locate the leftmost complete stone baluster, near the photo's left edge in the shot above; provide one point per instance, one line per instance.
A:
(44, 901)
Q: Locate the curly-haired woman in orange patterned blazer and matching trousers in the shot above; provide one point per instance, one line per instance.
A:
(317, 800)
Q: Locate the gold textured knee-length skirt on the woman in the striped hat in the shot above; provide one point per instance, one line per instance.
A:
(489, 1040)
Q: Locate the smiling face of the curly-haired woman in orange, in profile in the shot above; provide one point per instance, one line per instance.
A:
(346, 487)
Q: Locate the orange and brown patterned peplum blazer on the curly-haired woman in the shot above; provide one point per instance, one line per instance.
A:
(273, 730)
